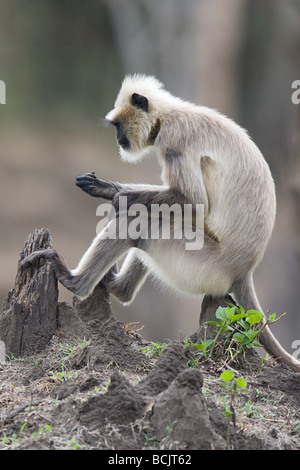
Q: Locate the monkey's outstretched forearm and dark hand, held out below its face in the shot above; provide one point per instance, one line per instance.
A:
(97, 187)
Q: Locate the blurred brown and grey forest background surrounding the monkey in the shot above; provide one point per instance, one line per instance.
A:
(63, 62)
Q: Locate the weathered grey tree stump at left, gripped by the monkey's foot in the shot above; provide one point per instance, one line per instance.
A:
(29, 316)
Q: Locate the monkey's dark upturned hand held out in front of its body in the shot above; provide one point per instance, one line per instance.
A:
(96, 187)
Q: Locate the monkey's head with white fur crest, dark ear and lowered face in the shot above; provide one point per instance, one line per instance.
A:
(137, 116)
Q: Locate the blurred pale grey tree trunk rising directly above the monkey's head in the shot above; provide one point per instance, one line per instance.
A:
(203, 35)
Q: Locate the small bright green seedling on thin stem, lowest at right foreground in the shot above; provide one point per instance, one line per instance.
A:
(233, 387)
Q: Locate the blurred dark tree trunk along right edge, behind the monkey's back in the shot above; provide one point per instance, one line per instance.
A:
(271, 64)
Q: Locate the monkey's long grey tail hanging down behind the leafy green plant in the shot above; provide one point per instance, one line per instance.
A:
(245, 295)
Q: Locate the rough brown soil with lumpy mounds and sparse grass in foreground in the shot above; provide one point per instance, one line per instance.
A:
(98, 385)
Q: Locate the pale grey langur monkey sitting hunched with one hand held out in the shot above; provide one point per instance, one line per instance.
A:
(205, 158)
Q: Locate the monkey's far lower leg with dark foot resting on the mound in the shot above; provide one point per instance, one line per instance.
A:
(126, 283)
